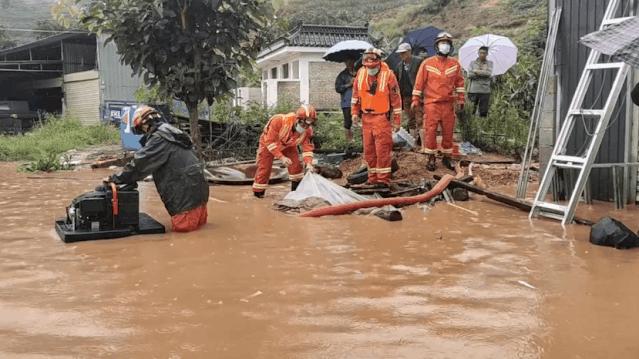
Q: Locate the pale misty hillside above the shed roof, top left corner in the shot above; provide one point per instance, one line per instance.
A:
(23, 14)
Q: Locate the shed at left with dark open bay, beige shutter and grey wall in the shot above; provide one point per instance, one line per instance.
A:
(72, 73)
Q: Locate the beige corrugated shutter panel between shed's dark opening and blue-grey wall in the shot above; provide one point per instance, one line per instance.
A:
(82, 96)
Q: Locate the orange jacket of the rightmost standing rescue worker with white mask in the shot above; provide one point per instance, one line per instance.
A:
(439, 79)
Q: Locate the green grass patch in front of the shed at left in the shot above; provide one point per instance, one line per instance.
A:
(47, 142)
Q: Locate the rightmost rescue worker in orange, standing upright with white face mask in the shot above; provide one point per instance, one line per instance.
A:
(441, 83)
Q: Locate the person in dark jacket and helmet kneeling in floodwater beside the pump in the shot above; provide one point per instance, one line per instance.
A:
(168, 154)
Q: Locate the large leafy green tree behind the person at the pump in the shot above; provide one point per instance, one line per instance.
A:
(192, 49)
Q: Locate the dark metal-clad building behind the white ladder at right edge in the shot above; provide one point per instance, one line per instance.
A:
(620, 145)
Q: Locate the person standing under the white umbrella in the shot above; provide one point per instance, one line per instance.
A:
(480, 76)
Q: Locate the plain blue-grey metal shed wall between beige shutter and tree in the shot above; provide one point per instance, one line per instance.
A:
(117, 80)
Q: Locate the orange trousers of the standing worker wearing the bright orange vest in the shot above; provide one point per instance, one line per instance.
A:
(377, 136)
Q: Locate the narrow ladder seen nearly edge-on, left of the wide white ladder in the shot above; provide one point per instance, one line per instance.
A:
(535, 118)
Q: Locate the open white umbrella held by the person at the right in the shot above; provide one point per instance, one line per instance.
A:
(501, 51)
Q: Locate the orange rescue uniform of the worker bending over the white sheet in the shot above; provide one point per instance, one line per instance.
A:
(280, 139)
